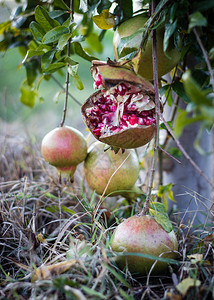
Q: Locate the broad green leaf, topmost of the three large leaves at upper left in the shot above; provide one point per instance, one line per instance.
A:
(43, 18)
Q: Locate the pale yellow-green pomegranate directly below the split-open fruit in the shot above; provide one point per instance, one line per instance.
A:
(100, 165)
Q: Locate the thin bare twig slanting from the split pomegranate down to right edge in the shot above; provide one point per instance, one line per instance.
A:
(186, 155)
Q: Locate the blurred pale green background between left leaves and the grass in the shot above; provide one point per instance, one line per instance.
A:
(16, 118)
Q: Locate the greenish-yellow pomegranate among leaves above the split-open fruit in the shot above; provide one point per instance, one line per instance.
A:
(166, 62)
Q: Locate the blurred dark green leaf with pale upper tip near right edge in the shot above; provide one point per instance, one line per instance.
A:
(194, 91)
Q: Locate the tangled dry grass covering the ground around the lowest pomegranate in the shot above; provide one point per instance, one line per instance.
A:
(54, 244)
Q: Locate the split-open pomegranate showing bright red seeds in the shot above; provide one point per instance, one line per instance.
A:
(122, 113)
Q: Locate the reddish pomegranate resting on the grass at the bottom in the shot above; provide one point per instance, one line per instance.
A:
(143, 235)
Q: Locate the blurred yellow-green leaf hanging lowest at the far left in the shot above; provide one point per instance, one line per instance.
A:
(28, 94)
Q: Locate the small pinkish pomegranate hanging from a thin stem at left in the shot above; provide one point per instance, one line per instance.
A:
(64, 148)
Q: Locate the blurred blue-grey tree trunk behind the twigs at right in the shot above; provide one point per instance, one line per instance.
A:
(193, 194)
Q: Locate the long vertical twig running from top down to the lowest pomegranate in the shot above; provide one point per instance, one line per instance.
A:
(157, 111)
